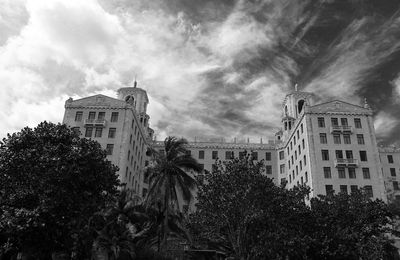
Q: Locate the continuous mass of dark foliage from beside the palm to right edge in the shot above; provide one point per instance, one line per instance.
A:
(242, 212)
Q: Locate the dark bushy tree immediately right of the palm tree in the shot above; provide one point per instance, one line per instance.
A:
(244, 213)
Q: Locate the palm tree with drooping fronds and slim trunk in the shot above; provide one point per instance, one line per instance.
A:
(170, 177)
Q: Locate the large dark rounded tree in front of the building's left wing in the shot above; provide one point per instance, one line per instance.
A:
(51, 182)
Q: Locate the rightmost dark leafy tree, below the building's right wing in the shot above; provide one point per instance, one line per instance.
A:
(350, 227)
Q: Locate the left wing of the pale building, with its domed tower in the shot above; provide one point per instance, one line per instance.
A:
(121, 126)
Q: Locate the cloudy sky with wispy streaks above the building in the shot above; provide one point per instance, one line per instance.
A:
(212, 68)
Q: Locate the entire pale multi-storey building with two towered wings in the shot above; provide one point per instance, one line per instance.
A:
(329, 146)
